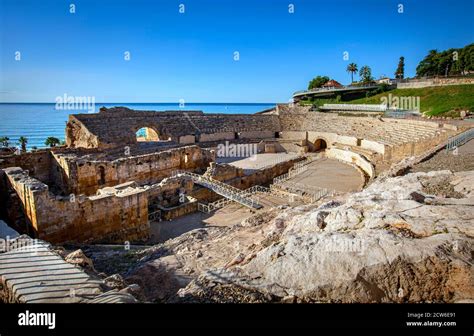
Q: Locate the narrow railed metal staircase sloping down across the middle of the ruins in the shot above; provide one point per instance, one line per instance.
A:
(228, 191)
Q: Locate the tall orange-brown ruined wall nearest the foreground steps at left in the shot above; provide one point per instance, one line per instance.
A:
(106, 218)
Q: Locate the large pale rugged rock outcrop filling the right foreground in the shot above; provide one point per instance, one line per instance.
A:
(392, 242)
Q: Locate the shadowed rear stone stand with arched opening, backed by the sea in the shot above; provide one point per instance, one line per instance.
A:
(93, 130)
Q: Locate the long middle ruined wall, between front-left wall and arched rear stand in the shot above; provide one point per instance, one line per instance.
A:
(65, 173)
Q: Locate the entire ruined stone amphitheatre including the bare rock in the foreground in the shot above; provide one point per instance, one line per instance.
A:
(323, 209)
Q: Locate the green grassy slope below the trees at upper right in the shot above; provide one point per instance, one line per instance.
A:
(433, 100)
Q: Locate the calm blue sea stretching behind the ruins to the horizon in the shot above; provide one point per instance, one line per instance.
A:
(37, 121)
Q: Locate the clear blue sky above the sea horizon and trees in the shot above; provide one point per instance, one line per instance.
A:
(190, 56)
